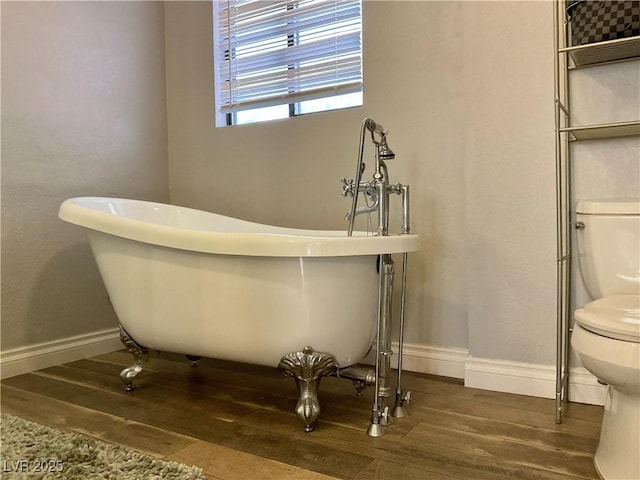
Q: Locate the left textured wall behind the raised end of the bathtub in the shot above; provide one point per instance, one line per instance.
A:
(83, 113)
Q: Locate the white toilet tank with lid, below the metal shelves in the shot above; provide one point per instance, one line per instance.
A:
(609, 247)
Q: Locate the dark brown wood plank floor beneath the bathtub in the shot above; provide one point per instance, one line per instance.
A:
(237, 423)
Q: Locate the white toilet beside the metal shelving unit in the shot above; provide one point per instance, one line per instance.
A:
(606, 334)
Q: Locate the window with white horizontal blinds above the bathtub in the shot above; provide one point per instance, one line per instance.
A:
(276, 59)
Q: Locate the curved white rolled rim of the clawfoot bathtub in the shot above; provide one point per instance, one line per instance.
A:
(279, 242)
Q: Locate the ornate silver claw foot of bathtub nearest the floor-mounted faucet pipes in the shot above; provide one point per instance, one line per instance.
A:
(307, 368)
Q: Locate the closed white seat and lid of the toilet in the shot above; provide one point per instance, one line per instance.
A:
(615, 316)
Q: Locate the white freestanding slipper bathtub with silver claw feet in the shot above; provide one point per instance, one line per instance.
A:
(197, 283)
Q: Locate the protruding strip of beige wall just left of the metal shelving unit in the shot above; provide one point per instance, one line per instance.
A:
(510, 192)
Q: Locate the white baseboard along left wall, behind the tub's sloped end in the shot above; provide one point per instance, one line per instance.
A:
(43, 355)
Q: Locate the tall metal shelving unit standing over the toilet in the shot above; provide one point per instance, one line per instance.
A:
(568, 58)
